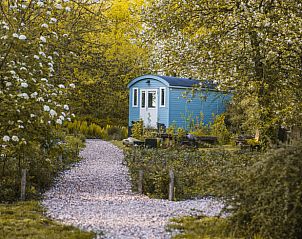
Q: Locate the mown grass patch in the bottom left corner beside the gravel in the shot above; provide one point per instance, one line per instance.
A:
(25, 220)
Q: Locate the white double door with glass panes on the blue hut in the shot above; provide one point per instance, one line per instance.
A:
(148, 107)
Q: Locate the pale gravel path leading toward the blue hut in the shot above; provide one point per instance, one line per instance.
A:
(96, 195)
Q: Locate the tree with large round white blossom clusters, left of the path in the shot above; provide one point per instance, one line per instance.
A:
(33, 91)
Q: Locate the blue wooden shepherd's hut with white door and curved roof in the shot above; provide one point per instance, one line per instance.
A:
(165, 100)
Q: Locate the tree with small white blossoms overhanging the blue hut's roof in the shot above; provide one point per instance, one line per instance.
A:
(253, 47)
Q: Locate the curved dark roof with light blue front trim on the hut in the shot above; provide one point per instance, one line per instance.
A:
(168, 81)
